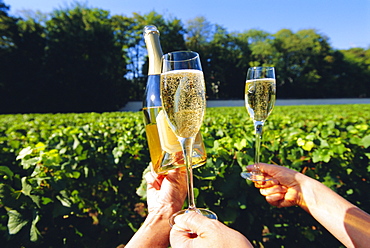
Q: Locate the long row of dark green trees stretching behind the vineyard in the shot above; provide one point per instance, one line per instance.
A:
(79, 59)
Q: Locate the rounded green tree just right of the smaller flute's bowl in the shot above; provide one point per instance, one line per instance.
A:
(303, 62)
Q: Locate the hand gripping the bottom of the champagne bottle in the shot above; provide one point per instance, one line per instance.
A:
(166, 193)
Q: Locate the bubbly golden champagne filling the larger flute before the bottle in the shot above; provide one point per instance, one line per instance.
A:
(183, 98)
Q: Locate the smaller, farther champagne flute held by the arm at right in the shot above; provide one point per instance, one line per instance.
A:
(260, 95)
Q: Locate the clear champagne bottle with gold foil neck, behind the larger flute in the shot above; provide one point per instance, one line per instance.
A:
(164, 148)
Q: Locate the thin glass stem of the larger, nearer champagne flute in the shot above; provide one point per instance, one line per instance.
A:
(187, 149)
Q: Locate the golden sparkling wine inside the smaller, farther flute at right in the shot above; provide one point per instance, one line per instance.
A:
(260, 98)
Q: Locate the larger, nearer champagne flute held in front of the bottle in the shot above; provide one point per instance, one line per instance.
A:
(183, 99)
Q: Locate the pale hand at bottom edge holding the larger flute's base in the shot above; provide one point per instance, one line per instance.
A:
(205, 233)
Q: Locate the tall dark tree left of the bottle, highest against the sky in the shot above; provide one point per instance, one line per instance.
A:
(84, 63)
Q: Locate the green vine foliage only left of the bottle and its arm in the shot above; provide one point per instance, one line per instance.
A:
(70, 179)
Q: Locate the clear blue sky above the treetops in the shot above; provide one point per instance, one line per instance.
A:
(345, 22)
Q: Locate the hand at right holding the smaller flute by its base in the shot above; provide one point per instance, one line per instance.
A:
(284, 189)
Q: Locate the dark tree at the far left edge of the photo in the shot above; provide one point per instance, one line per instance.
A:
(22, 53)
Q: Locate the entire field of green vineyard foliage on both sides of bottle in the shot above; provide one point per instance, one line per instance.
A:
(73, 179)
